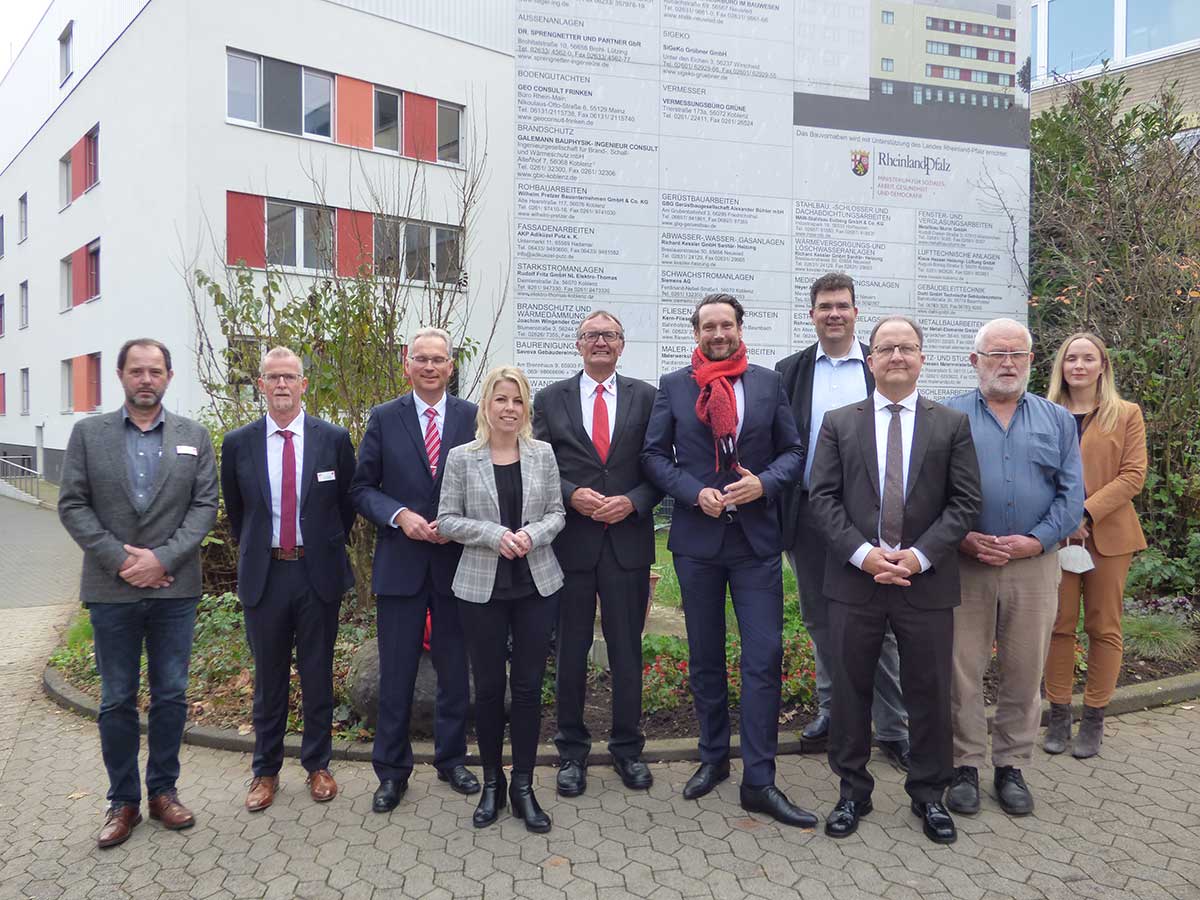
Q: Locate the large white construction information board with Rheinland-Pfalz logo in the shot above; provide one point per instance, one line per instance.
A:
(668, 149)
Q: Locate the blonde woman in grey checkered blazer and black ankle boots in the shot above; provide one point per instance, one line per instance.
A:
(502, 501)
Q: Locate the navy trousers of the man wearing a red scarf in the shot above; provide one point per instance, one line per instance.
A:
(758, 587)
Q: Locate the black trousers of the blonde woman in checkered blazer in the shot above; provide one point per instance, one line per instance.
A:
(531, 621)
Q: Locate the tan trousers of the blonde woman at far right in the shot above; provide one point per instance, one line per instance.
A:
(1103, 592)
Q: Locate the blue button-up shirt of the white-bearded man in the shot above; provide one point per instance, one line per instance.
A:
(1031, 473)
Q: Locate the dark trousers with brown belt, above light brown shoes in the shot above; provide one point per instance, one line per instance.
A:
(292, 615)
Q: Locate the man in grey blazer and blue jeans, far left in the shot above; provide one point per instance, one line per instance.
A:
(140, 494)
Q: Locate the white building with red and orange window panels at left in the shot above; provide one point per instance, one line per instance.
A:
(154, 139)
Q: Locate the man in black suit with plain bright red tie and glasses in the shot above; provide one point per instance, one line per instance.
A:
(596, 421)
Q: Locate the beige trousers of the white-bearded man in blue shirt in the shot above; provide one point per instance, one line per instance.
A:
(1013, 607)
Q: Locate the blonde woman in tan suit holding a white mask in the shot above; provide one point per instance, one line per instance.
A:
(1113, 445)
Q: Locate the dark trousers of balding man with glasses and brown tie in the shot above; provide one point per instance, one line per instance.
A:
(927, 649)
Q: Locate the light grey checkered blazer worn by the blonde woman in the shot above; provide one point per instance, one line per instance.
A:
(470, 514)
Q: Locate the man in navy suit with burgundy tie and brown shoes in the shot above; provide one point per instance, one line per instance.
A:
(286, 481)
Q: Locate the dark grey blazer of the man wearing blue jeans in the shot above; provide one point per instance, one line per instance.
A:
(97, 507)
